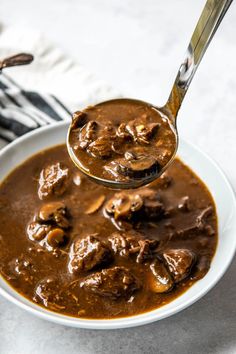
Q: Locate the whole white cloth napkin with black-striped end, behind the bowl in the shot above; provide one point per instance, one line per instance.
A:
(44, 92)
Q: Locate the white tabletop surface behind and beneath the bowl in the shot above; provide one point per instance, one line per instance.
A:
(136, 46)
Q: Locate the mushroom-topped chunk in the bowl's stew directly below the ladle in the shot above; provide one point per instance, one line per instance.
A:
(144, 203)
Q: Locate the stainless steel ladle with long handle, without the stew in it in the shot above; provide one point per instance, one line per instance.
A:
(206, 27)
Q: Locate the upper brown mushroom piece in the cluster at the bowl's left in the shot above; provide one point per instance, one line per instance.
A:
(54, 213)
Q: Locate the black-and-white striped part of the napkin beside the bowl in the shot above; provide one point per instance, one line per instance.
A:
(22, 111)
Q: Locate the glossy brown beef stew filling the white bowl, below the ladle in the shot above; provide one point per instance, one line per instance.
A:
(83, 250)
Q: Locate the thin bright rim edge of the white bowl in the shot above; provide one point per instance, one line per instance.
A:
(123, 322)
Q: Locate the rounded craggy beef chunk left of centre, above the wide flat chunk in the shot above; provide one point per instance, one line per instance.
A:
(87, 254)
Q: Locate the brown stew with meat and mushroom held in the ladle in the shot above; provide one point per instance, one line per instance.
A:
(122, 140)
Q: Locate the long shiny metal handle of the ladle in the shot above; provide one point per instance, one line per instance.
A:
(207, 25)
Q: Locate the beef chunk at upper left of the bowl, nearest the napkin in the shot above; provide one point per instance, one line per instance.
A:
(53, 180)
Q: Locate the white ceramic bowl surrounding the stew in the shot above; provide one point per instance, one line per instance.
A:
(206, 169)
